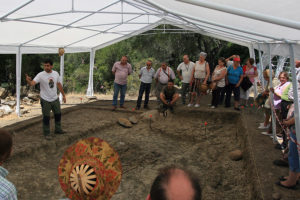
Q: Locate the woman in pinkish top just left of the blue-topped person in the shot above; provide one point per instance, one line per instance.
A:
(218, 82)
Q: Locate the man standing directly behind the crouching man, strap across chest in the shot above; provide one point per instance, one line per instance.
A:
(162, 76)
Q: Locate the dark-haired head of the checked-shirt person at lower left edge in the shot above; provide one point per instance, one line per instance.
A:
(5, 145)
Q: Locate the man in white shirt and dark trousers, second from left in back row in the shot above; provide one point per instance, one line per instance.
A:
(146, 75)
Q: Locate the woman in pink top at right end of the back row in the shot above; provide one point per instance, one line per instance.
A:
(250, 71)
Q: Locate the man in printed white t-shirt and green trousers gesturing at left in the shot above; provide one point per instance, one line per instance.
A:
(49, 81)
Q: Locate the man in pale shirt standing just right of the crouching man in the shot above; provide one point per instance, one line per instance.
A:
(186, 69)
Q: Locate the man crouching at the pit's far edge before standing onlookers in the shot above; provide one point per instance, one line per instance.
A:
(169, 96)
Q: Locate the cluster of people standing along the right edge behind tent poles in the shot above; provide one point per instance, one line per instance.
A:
(283, 108)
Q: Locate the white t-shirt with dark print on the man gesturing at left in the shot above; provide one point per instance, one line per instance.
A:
(48, 85)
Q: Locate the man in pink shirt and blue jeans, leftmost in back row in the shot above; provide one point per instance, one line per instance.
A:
(121, 70)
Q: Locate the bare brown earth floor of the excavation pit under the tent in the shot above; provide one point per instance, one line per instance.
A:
(179, 139)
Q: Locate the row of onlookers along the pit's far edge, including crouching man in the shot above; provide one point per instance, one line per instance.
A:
(196, 78)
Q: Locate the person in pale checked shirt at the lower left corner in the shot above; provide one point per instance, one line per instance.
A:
(7, 189)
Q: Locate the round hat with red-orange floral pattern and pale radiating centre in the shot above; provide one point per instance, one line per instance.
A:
(90, 170)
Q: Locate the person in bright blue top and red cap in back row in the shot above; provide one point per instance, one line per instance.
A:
(233, 81)
